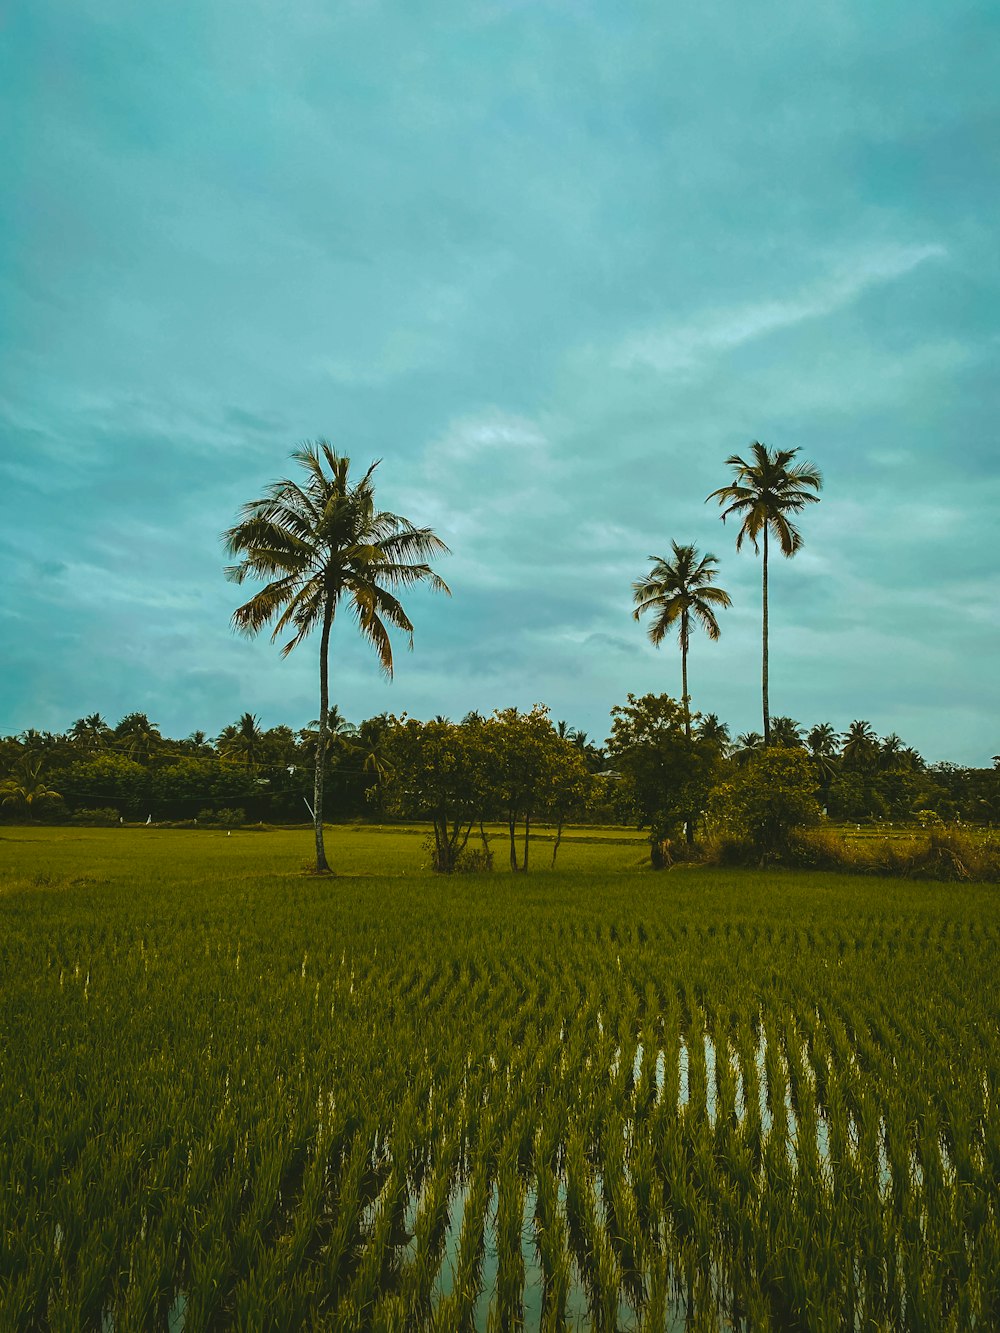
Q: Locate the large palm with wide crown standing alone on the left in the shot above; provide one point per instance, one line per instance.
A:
(318, 543)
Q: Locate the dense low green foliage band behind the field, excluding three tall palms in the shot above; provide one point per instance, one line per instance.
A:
(651, 772)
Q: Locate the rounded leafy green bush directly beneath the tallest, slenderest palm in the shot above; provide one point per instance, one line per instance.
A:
(773, 795)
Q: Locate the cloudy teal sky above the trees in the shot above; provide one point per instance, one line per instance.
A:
(553, 263)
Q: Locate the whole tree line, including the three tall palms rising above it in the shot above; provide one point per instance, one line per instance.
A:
(319, 545)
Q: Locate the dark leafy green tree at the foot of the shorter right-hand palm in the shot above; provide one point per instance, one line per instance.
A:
(667, 774)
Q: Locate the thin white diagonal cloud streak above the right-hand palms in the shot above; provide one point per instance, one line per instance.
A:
(683, 347)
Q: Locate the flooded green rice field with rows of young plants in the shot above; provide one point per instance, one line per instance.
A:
(233, 1096)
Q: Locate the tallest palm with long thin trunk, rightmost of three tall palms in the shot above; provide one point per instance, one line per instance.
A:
(765, 494)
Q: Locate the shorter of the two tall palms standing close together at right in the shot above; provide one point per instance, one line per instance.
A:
(675, 593)
